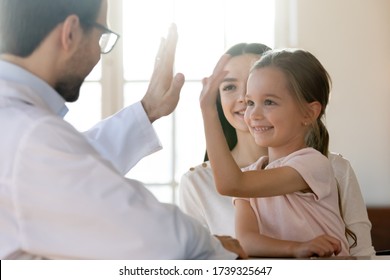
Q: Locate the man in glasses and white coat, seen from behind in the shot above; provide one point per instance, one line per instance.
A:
(63, 195)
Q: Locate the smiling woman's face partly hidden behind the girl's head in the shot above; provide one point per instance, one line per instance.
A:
(233, 89)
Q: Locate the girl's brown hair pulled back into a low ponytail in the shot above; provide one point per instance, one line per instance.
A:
(308, 81)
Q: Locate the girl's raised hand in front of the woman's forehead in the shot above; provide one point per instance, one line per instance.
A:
(208, 96)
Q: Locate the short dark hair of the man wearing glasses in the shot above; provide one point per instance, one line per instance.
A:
(24, 24)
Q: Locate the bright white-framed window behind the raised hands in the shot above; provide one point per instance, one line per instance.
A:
(206, 29)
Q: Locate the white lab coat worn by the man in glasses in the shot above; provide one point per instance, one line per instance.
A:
(64, 196)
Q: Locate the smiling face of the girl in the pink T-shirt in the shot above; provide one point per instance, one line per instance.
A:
(273, 115)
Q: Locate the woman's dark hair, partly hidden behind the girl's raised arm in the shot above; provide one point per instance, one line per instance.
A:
(236, 50)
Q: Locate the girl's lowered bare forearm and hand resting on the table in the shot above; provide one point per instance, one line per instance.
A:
(258, 245)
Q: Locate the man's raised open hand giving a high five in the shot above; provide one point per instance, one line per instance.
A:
(164, 88)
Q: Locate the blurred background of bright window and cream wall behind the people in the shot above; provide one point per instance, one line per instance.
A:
(350, 37)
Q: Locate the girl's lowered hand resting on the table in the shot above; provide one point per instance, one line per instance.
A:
(322, 246)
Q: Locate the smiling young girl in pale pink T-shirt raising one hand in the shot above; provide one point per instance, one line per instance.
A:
(287, 94)
